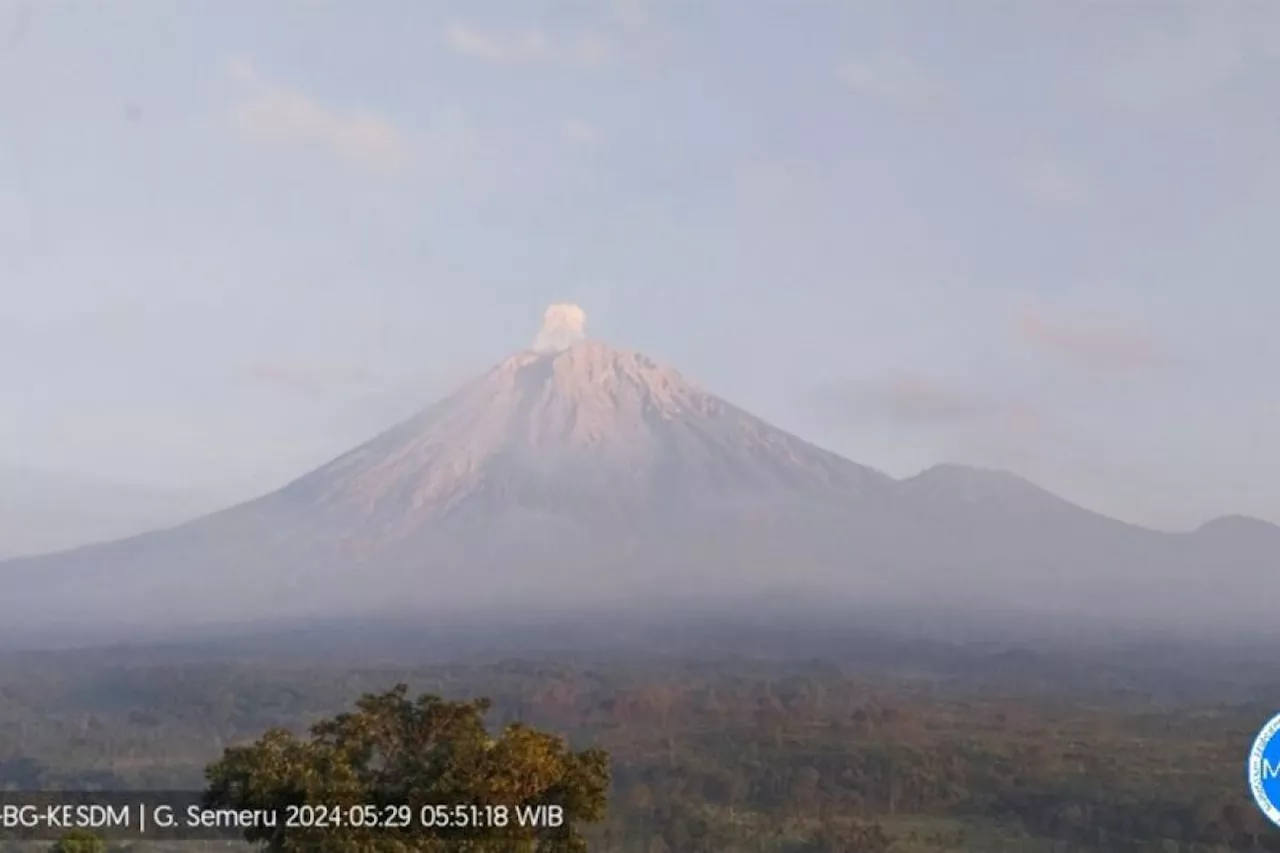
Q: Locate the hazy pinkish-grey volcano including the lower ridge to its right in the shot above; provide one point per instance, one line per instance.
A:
(578, 476)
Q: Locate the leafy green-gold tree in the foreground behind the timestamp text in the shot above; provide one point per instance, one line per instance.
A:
(401, 774)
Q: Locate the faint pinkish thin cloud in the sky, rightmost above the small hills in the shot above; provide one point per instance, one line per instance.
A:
(1101, 350)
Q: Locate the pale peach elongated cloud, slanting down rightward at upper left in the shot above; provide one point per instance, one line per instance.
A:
(273, 115)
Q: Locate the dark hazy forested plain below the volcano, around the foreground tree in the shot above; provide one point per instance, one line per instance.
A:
(876, 745)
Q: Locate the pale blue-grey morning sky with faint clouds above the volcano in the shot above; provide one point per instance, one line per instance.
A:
(240, 238)
